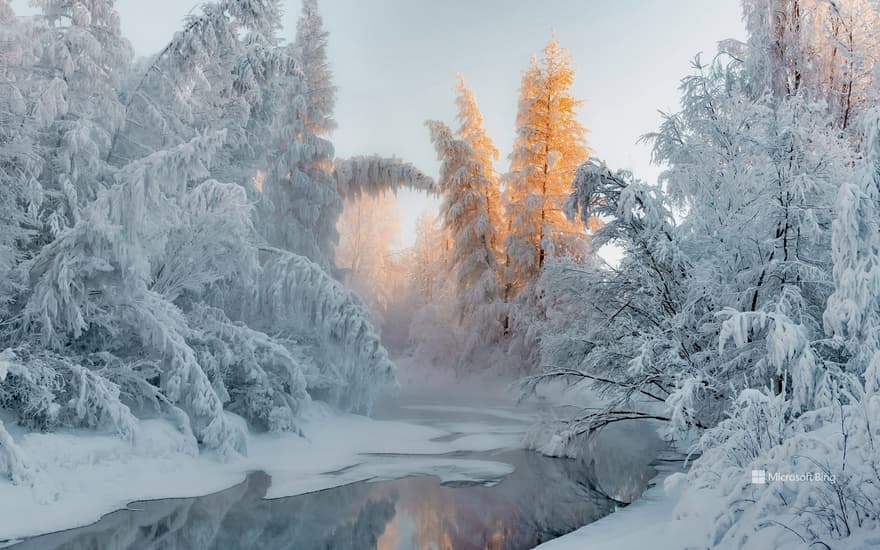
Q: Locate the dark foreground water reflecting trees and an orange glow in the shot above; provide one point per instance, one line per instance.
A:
(542, 499)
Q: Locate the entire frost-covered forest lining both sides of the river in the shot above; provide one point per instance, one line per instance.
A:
(178, 240)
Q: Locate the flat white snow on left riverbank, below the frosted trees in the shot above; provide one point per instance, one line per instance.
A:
(84, 475)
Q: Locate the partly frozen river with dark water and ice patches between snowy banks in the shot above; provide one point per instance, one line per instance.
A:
(516, 501)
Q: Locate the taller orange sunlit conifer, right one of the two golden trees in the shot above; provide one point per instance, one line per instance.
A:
(550, 145)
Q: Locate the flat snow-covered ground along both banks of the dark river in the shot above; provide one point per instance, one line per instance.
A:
(83, 476)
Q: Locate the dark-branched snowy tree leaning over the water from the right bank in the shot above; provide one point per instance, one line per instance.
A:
(628, 349)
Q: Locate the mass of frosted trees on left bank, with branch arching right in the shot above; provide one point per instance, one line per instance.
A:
(137, 280)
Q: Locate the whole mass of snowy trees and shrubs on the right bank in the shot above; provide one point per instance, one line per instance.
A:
(748, 315)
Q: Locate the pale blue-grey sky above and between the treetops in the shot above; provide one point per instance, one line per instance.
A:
(395, 63)
